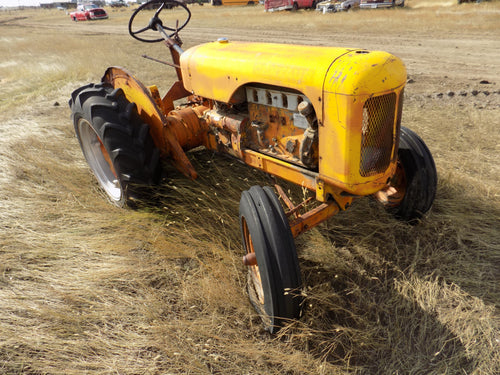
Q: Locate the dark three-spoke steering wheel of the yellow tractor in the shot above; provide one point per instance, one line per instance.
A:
(155, 22)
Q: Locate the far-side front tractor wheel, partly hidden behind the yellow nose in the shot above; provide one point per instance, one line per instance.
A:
(413, 188)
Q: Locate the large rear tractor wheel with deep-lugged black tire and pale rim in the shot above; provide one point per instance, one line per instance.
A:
(115, 142)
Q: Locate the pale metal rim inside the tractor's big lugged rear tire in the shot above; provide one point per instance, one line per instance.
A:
(99, 160)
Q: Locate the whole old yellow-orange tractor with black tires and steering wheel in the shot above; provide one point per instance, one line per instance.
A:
(326, 119)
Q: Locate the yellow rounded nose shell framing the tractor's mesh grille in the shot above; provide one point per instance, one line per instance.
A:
(351, 80)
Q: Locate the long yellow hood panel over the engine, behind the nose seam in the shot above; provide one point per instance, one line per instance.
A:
(216, 70)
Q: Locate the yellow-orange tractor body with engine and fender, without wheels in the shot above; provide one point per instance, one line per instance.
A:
(324, 158)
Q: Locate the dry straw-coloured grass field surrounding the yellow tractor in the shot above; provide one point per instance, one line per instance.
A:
(89, 288)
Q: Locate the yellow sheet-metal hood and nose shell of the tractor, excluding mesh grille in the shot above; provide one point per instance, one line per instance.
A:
(337, 82)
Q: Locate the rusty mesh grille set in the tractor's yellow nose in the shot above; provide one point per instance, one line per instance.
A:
(377, 134)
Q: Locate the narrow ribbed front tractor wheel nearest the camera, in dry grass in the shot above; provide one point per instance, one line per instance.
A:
(274, 281)
